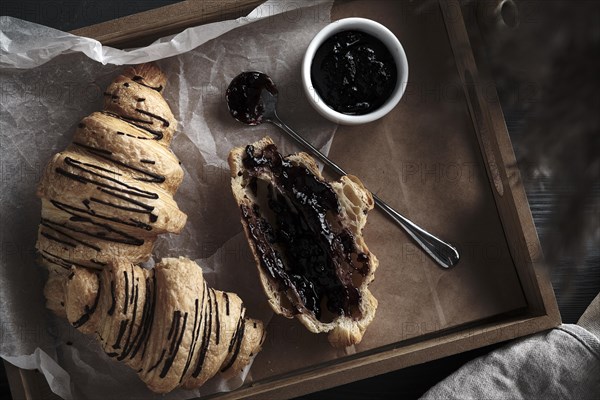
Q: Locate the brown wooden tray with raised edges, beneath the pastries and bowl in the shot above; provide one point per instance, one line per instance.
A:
(517, 296)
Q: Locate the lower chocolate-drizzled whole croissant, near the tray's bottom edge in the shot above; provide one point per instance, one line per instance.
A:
(165, 323)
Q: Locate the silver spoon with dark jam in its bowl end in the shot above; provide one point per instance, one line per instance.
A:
(252, 99)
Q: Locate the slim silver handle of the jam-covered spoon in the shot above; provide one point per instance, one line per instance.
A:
(443, 253)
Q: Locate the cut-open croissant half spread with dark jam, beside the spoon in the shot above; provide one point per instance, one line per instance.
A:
(306, 237)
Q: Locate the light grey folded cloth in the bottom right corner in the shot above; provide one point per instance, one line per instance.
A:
(563, 363)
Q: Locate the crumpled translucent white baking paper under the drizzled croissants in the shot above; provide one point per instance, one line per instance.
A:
(49, 80)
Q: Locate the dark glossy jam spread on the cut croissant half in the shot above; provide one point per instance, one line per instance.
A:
(297, 238)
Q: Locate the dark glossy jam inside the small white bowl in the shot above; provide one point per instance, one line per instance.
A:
(353, 72)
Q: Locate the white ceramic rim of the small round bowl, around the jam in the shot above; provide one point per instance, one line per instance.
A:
(387, 38)
